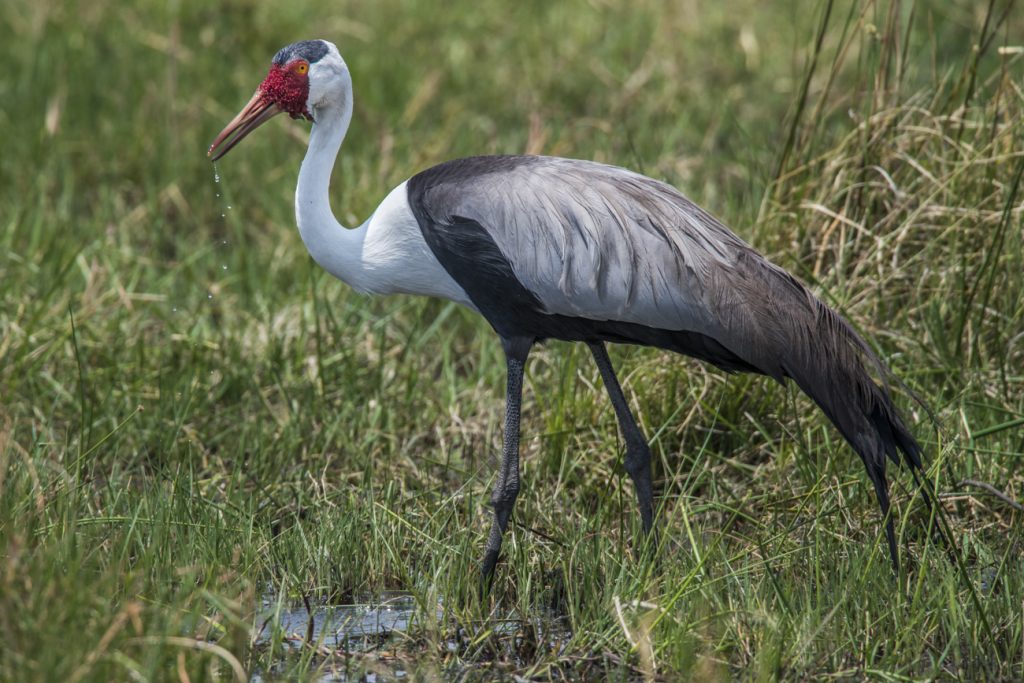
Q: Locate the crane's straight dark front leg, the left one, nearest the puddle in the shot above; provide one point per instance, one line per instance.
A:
(507, 486)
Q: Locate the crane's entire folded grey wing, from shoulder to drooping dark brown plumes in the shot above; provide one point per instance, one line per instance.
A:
(602, 243)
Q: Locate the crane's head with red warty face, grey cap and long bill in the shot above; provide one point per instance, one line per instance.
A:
(300, 81)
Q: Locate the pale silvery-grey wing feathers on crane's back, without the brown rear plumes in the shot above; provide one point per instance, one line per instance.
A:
(595, 241)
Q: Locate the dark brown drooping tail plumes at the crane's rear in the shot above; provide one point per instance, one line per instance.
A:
(778, 326)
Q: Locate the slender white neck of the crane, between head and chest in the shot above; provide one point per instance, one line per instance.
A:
(335, 248)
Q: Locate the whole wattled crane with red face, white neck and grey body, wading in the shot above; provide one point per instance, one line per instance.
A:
(548, 248)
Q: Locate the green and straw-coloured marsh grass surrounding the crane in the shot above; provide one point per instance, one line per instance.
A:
(193, 416)
